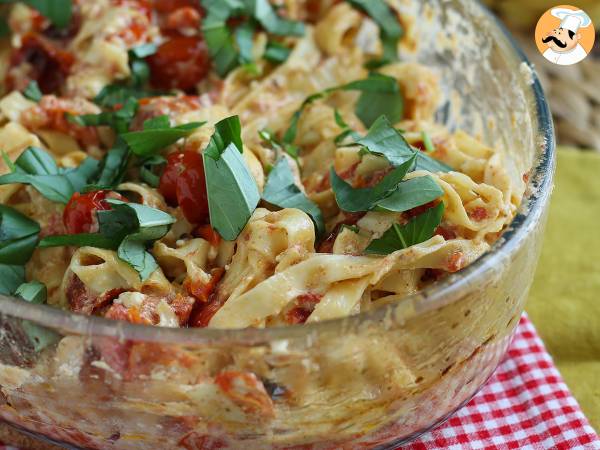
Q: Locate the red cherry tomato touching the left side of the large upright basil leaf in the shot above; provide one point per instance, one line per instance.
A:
(182, 183)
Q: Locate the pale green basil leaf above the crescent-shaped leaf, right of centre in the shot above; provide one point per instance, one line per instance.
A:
(384, 140)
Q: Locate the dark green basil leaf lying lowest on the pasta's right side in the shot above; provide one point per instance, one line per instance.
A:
(418, 229)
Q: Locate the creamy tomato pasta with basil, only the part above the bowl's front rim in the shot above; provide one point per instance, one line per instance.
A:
(231, 164)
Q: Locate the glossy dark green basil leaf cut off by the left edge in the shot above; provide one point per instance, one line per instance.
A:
(18, 236)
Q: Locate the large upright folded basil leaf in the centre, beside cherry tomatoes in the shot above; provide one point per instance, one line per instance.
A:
(232, 191)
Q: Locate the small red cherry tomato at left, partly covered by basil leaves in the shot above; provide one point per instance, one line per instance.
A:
(79, 215)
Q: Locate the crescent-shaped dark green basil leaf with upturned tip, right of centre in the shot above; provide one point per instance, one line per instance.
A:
(364, 199)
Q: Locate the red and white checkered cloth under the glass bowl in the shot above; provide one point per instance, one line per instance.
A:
(525, 405)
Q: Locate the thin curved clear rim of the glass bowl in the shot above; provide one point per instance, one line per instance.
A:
(530, 212)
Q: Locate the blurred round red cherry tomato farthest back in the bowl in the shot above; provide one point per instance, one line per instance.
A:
(179, 63)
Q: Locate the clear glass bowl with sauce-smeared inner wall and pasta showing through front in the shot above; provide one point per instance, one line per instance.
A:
(373, 380)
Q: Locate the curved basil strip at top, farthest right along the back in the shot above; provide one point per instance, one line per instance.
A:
(390, 30)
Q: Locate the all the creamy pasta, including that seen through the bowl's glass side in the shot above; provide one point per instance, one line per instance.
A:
(232, 164)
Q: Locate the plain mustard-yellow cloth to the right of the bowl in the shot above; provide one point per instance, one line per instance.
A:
(564, 303)
